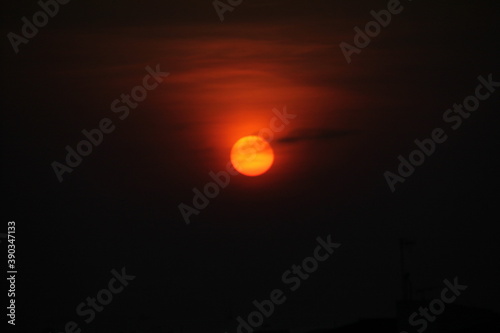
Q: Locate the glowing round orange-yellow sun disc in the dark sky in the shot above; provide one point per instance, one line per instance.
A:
(252, 155)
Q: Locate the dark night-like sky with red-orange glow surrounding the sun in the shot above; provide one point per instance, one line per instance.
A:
(119, 208)
